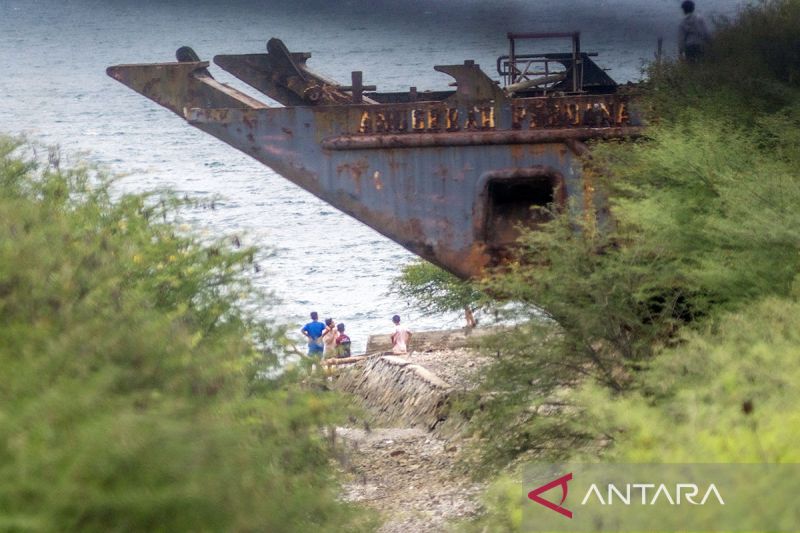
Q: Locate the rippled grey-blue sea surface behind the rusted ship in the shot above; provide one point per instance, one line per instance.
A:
(54, 91)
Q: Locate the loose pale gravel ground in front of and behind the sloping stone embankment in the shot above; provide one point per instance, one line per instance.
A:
(411, 476)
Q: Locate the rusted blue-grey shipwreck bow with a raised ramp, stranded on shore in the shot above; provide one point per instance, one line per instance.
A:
(450, 175)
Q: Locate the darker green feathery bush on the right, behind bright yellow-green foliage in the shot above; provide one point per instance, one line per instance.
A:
(704, 223)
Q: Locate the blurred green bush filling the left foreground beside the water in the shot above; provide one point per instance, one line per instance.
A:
(133, 394)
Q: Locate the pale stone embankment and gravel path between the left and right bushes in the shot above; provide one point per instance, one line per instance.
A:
(394, 462)
